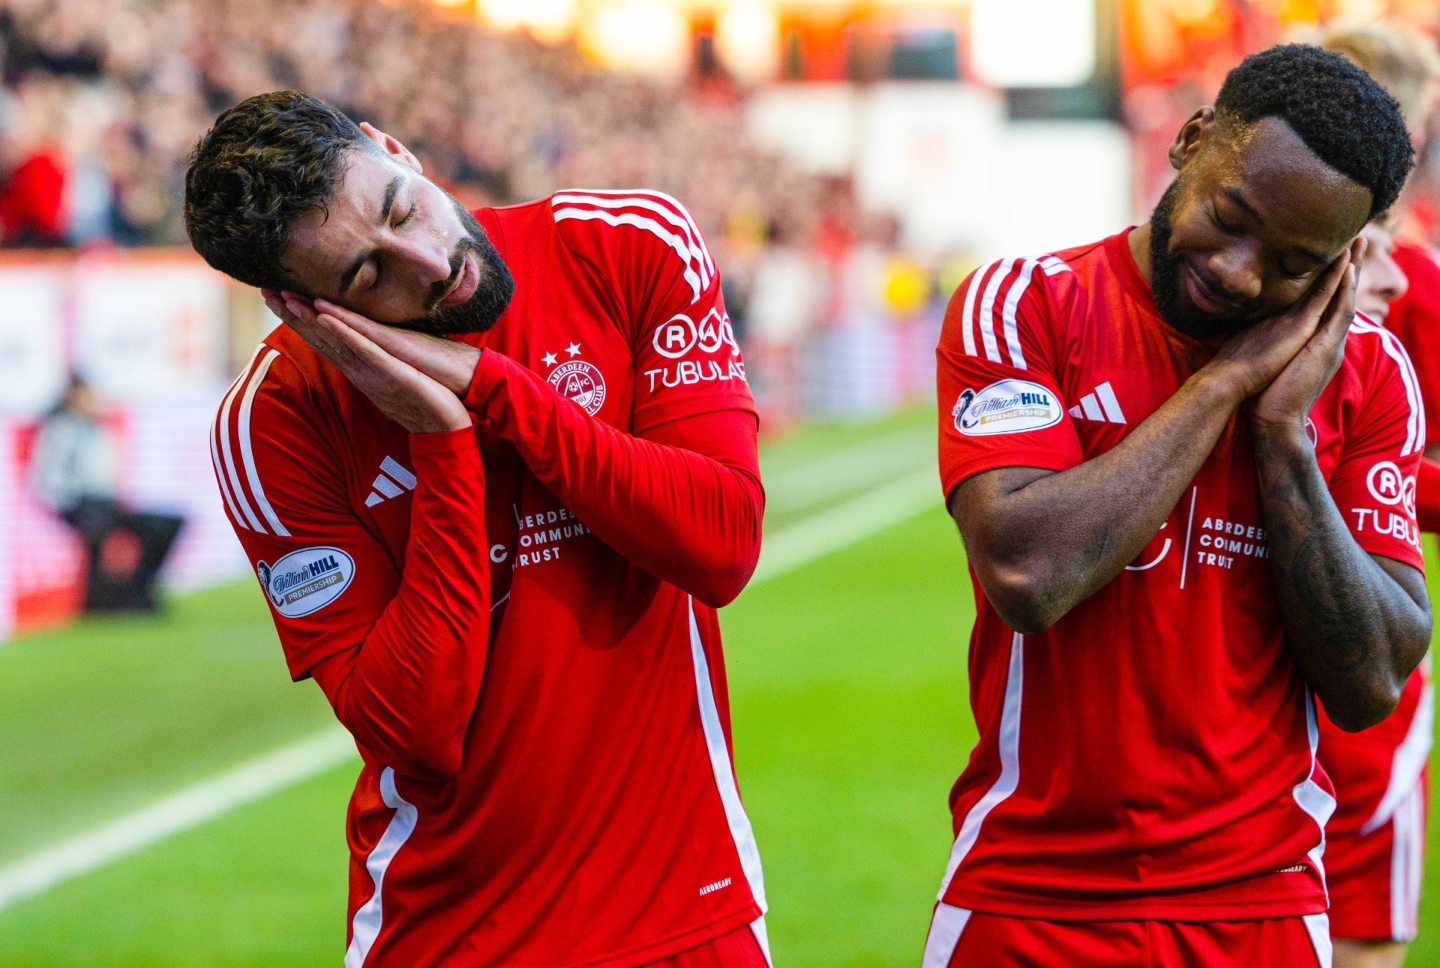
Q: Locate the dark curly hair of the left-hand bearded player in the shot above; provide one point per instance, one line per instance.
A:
(266, 162)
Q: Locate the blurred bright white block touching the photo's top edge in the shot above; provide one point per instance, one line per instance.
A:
(1033, 44)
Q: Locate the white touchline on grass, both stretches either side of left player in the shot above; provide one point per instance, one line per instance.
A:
(788, 550)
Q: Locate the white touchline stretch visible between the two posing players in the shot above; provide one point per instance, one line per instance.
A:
(837, 528)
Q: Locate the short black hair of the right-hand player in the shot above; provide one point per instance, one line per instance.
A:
(1338, 112)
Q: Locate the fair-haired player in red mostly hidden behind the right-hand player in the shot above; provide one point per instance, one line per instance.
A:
(1376, 841)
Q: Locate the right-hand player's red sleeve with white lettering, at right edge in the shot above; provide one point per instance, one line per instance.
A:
(1374, 482)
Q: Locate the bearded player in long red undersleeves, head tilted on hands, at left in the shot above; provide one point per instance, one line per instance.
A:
(496, 476)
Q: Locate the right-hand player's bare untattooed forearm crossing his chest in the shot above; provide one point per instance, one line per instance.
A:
(1043, 548)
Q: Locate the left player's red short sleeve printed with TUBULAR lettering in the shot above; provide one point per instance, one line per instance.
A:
(649, 251)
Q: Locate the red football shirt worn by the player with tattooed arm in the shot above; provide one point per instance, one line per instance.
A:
(1153, 756)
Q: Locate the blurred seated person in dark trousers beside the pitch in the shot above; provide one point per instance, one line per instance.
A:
(74, 470)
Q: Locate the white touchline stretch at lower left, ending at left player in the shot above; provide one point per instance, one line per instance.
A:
(191, 807)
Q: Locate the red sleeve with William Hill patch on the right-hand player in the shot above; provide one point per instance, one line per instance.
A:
(997, 377)
